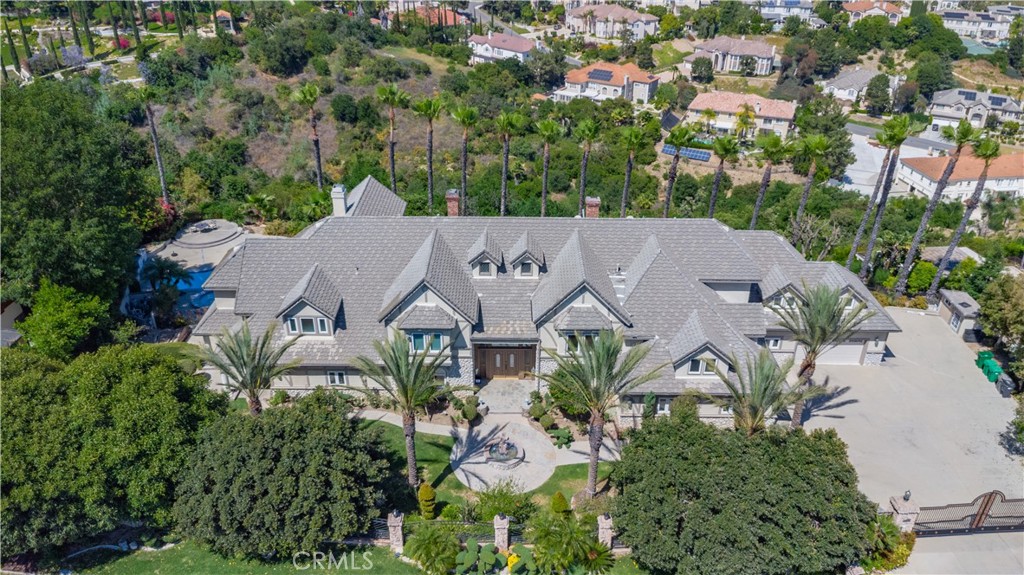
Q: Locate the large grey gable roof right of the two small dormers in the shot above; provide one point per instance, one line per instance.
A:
(576, 268)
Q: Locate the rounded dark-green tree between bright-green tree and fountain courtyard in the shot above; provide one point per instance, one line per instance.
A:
(284, 482)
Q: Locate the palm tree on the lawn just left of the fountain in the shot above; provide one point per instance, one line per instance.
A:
(409, 380)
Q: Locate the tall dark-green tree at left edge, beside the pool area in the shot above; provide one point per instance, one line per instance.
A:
(74, 200)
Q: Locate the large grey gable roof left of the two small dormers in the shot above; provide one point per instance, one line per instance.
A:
(436, 267)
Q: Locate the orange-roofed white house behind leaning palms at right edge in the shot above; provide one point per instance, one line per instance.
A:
(921, 175)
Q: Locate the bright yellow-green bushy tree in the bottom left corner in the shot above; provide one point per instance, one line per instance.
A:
(98, 443)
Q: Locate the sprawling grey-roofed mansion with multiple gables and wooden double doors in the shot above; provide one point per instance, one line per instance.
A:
(503, 291)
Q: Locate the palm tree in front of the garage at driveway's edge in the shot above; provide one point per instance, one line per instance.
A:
(820, 322)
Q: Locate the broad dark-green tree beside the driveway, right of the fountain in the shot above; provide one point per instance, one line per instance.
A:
(697, 500)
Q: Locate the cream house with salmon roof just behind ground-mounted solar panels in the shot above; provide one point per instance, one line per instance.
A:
(771, 116)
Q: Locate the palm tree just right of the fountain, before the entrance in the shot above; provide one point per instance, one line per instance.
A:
(599, 376)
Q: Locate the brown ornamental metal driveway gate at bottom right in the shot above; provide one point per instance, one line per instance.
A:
(988, 513)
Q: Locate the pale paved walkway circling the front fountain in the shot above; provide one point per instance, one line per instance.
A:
(470, 455)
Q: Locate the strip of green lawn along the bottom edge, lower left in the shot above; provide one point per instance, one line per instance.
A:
(190, 558)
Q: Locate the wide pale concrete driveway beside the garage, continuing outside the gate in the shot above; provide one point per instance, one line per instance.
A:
(928, 421)
